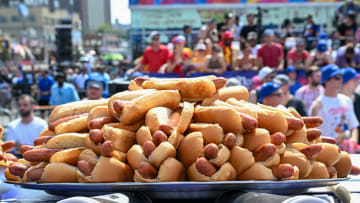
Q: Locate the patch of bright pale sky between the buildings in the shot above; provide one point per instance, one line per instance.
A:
(120, 9)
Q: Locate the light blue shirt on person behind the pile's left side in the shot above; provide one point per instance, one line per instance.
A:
(67, 93)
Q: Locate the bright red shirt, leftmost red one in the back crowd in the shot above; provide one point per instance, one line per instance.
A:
(155, 59)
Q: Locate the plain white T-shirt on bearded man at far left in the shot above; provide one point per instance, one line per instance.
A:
(25, 134)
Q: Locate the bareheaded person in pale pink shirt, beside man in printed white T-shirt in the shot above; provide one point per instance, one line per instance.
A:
(308, 93)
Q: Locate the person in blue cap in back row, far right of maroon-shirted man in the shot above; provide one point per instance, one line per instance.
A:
(320, 56)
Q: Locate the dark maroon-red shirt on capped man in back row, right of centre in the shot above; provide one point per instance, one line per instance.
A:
(270, 54)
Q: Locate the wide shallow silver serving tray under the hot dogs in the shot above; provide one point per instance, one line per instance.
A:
(178, 190)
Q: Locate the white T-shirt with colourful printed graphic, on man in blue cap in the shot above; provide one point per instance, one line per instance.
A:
(338, 116)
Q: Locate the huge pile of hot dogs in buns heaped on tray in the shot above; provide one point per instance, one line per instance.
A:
(175, 130)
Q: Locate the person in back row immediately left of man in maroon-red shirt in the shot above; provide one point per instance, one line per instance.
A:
(245, 60)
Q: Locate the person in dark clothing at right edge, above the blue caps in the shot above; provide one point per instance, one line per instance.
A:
(348, 59)
